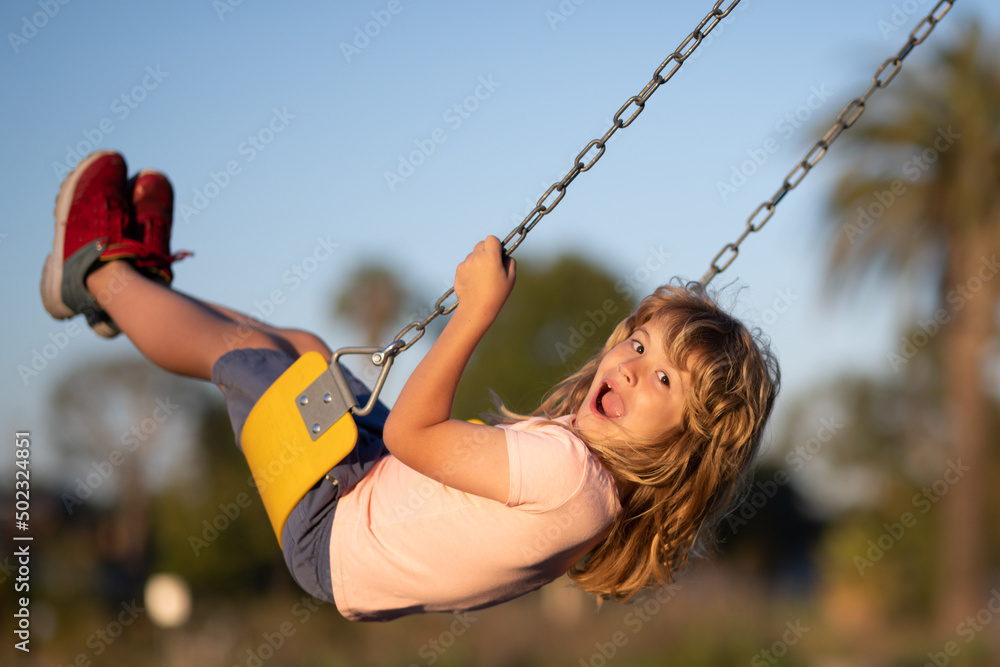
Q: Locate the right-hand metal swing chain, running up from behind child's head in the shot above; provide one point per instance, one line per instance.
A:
(847, 117)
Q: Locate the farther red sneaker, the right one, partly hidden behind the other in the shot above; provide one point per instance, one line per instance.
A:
(153, 213)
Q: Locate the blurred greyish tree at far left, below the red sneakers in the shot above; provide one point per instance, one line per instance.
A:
(108, 421)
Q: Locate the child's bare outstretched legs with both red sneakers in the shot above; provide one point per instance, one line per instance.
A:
(101, 218)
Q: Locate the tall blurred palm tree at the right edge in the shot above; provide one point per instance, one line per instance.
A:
(921, 197)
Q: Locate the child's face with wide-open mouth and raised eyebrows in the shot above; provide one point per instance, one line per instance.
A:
(636, 388)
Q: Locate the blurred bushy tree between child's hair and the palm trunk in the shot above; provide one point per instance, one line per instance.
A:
(861, 449)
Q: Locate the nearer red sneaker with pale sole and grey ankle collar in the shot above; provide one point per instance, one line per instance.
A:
(92, 225)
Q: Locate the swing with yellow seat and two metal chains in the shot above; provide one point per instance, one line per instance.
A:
(294, 436)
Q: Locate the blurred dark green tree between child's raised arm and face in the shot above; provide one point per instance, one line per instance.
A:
(558, 316)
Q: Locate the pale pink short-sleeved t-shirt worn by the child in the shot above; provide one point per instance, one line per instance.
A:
(403, 543)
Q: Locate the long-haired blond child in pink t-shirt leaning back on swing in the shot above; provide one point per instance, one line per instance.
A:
(615, 477)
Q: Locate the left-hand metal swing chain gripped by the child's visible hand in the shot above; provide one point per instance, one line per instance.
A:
(592, 152)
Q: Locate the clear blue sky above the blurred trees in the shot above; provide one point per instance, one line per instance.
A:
(305, 138)
